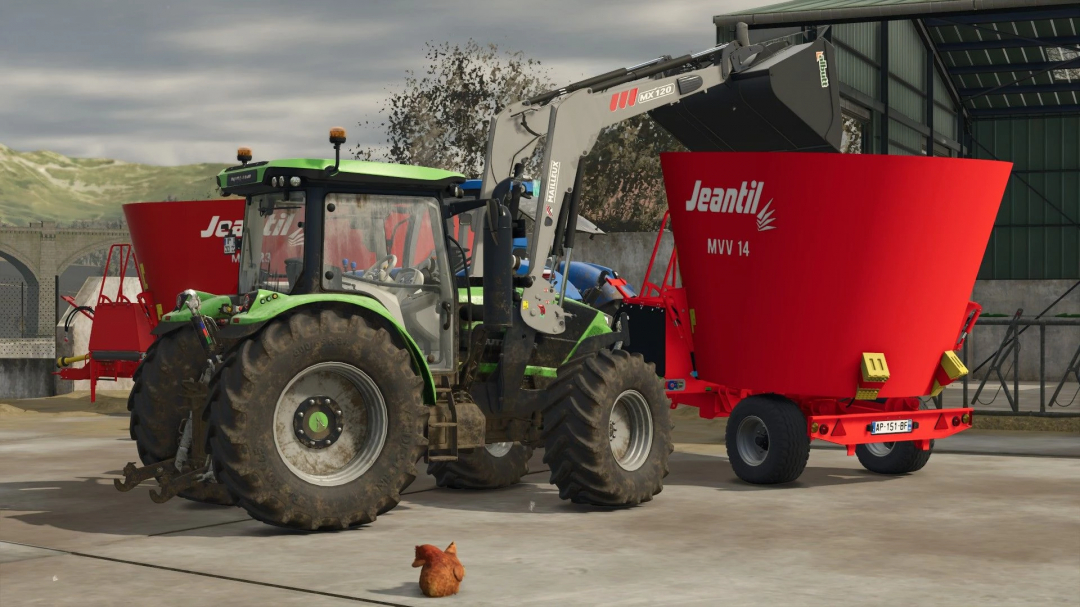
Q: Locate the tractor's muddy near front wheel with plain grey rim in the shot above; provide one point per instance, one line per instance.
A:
(607, 438)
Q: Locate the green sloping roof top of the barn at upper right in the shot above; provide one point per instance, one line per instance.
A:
(805, 12)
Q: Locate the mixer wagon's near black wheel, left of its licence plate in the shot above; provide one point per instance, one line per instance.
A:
(767, 440)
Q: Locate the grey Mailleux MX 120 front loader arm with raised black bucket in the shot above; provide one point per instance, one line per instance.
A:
(782, 101)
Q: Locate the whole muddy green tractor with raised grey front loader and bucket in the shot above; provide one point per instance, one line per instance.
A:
(383, 317)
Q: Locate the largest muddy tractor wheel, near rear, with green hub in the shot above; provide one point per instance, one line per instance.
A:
(339, 465)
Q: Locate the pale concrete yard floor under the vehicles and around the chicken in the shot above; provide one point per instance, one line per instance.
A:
(969, 530)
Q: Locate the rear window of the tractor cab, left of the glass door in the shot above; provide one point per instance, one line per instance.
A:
(273, 247)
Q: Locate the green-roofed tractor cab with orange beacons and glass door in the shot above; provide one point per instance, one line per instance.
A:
(346, 227)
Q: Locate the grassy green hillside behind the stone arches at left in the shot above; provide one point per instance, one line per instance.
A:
(47, 186)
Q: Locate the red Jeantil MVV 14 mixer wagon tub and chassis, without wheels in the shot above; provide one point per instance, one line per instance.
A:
(892, 276)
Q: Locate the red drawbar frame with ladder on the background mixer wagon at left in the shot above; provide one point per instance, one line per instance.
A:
(120, 333)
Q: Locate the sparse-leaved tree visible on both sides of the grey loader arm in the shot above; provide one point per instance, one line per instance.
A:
(442, 120)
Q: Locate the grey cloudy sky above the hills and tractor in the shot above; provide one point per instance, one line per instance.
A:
(187, 82)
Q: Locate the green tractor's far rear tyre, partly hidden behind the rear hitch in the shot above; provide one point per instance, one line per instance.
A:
(158, 407)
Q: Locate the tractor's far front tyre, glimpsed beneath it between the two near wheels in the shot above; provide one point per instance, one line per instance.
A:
(493, 467)
